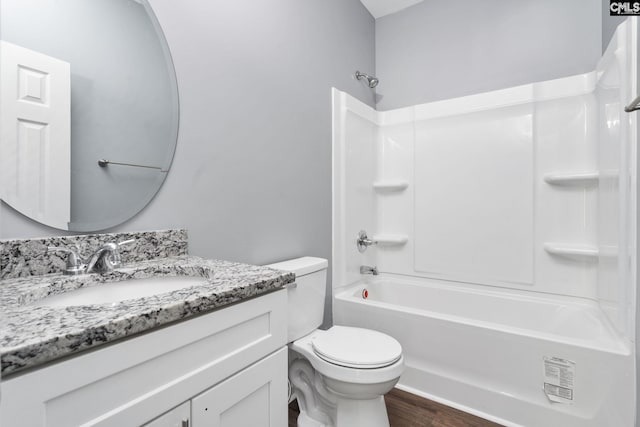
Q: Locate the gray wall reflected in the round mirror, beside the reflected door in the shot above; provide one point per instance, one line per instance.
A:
(121, 97)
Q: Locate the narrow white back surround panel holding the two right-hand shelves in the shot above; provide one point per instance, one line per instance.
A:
(566, 142)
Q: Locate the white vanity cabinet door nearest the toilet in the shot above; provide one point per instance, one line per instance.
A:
(254, 397)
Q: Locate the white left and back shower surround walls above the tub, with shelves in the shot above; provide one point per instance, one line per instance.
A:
(485, 189)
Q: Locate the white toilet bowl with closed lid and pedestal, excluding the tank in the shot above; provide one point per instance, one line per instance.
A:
(355, 390)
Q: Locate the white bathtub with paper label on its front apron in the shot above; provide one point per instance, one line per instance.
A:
(483, 350)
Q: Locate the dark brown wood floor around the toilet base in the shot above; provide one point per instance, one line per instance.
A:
(408, 410)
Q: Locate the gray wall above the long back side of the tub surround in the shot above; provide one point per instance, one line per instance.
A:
(443, 49)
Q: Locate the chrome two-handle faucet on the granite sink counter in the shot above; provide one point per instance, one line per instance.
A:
(105, 259)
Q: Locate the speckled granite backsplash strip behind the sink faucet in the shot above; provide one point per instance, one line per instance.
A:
(30, 257)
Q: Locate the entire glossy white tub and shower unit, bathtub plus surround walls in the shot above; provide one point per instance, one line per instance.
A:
(512, 214)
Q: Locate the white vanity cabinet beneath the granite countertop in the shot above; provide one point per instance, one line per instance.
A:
(228, 366)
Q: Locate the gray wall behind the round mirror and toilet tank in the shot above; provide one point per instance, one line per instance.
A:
(251, 178)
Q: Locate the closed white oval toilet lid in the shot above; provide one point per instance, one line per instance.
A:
(357, 348)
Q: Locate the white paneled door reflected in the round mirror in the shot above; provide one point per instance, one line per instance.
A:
(35, 134)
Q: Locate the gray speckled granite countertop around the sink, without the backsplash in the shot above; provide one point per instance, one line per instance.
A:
(32, 335)
